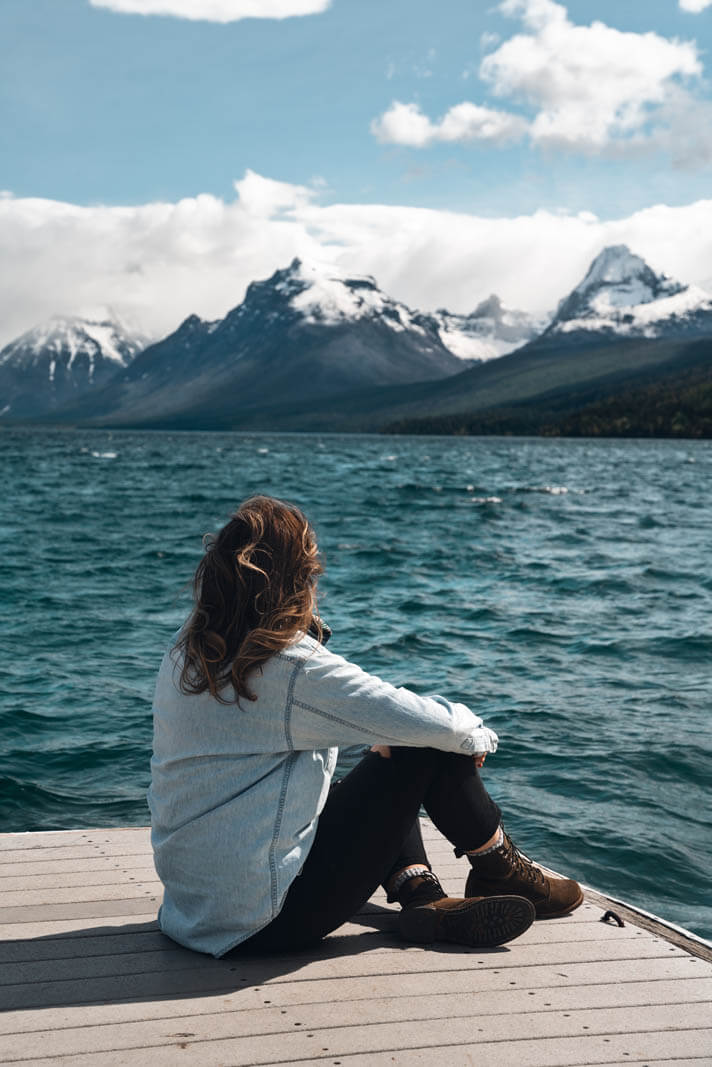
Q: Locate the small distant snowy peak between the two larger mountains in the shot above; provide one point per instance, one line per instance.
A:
(488, 332)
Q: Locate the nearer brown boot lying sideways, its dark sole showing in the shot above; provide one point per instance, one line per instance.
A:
(480, 925)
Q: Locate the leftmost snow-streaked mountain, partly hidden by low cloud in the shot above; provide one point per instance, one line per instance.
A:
(60, 361)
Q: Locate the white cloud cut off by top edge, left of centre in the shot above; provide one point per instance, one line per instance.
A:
(216, 11)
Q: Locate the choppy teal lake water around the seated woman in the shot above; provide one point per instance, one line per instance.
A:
(561, 588)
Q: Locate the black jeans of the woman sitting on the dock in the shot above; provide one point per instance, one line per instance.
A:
(369, 831)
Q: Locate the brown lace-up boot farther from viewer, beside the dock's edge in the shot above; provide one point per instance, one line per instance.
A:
(507, 871)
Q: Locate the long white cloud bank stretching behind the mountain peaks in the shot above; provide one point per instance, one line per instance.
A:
(159, 263)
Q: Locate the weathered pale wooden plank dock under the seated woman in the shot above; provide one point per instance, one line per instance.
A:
(88, 979)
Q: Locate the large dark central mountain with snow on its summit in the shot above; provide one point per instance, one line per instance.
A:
(304, 335)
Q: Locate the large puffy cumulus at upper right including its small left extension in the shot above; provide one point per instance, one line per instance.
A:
(583, 88)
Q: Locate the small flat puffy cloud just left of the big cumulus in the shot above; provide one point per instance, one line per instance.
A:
(406, 124)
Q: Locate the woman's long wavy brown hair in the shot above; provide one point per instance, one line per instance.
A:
(255, 591)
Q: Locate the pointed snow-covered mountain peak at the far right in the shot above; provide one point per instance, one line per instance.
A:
(623, 297)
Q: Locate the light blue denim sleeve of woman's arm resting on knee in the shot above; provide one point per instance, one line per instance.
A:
(336, 704)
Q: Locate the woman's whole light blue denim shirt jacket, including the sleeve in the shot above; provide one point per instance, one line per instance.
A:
(238, 789)
